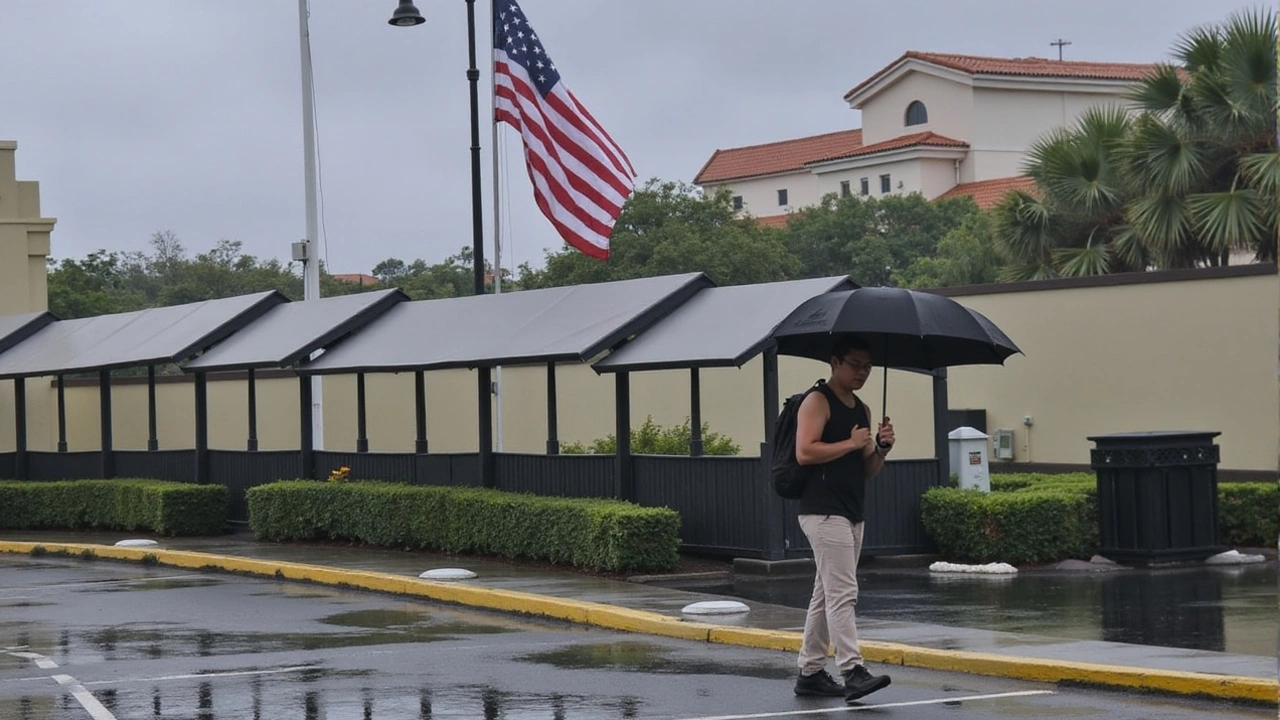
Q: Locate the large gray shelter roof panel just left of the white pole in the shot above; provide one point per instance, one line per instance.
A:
(125, 340)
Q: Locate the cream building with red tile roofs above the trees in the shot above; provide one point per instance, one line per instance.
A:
(935, 124)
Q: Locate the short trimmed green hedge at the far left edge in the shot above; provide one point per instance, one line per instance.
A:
(166, 508)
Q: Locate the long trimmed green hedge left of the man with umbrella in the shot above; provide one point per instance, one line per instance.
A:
(604, 535)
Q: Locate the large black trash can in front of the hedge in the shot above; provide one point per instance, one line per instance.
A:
(1158, 496)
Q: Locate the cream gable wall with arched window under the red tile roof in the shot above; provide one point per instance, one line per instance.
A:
(950, 107)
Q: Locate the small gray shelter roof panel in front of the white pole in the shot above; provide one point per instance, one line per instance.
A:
(292, 331)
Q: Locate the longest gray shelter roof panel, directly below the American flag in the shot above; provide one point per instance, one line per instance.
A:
(572, 323)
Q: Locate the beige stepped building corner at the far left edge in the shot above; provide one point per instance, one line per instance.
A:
(24, 240)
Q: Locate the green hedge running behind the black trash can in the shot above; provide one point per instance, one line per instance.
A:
(1044, 518)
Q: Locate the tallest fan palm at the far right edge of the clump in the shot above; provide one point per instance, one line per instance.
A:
(1204, 152)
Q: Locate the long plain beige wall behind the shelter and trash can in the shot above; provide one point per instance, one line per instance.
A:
(1145, 357)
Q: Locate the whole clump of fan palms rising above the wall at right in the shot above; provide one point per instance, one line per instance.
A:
(1188, 177)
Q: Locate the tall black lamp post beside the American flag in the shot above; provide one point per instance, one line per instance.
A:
(408, 16)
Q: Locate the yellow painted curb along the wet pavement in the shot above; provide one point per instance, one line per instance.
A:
(1041, 671)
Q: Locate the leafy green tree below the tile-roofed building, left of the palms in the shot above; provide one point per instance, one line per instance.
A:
(872, 239)
